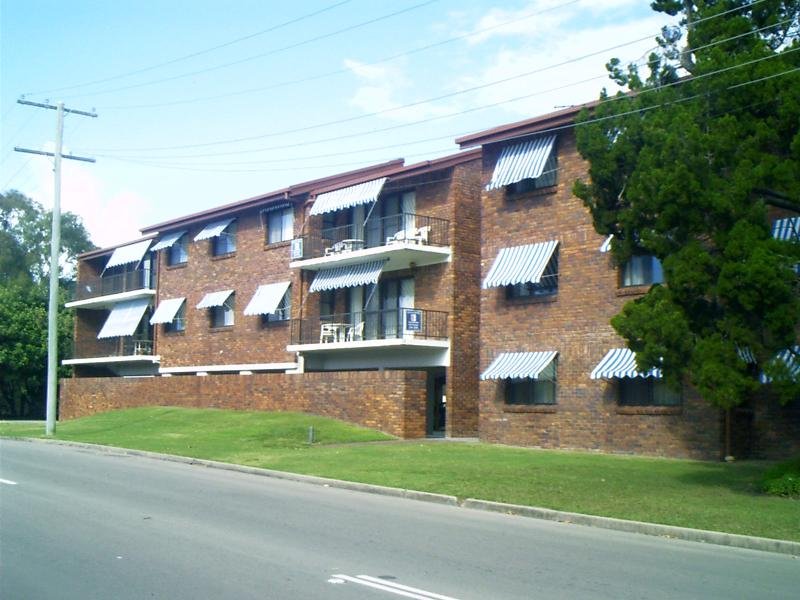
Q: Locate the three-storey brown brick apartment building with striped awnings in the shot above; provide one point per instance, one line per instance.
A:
(468, 295)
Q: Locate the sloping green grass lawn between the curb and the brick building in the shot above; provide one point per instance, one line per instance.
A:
(704, 495)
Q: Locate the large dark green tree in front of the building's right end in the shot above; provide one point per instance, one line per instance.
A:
(689, 162)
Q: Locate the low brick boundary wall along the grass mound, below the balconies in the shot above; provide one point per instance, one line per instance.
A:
(391, 401)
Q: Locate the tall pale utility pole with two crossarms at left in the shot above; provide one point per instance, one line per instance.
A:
(55, 247)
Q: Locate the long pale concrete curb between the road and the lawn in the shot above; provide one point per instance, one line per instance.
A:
(670, 531)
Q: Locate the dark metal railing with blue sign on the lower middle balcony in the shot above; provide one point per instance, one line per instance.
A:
(403, 323)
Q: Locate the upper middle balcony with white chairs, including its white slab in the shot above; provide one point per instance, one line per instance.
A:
(402, 240)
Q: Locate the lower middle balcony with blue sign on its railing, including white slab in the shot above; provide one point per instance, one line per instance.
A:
(398, 338)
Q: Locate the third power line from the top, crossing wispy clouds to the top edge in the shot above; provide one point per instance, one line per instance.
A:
(345, 70)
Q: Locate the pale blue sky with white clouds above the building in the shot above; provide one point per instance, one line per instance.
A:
(202, 103)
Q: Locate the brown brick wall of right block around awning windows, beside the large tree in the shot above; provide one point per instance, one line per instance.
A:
(575, 323)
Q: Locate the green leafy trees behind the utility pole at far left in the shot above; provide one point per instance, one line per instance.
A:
(24, 270)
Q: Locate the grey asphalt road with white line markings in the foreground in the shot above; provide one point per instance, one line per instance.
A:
(75, 524)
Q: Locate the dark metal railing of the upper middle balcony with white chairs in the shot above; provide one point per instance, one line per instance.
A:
(382, 231)
